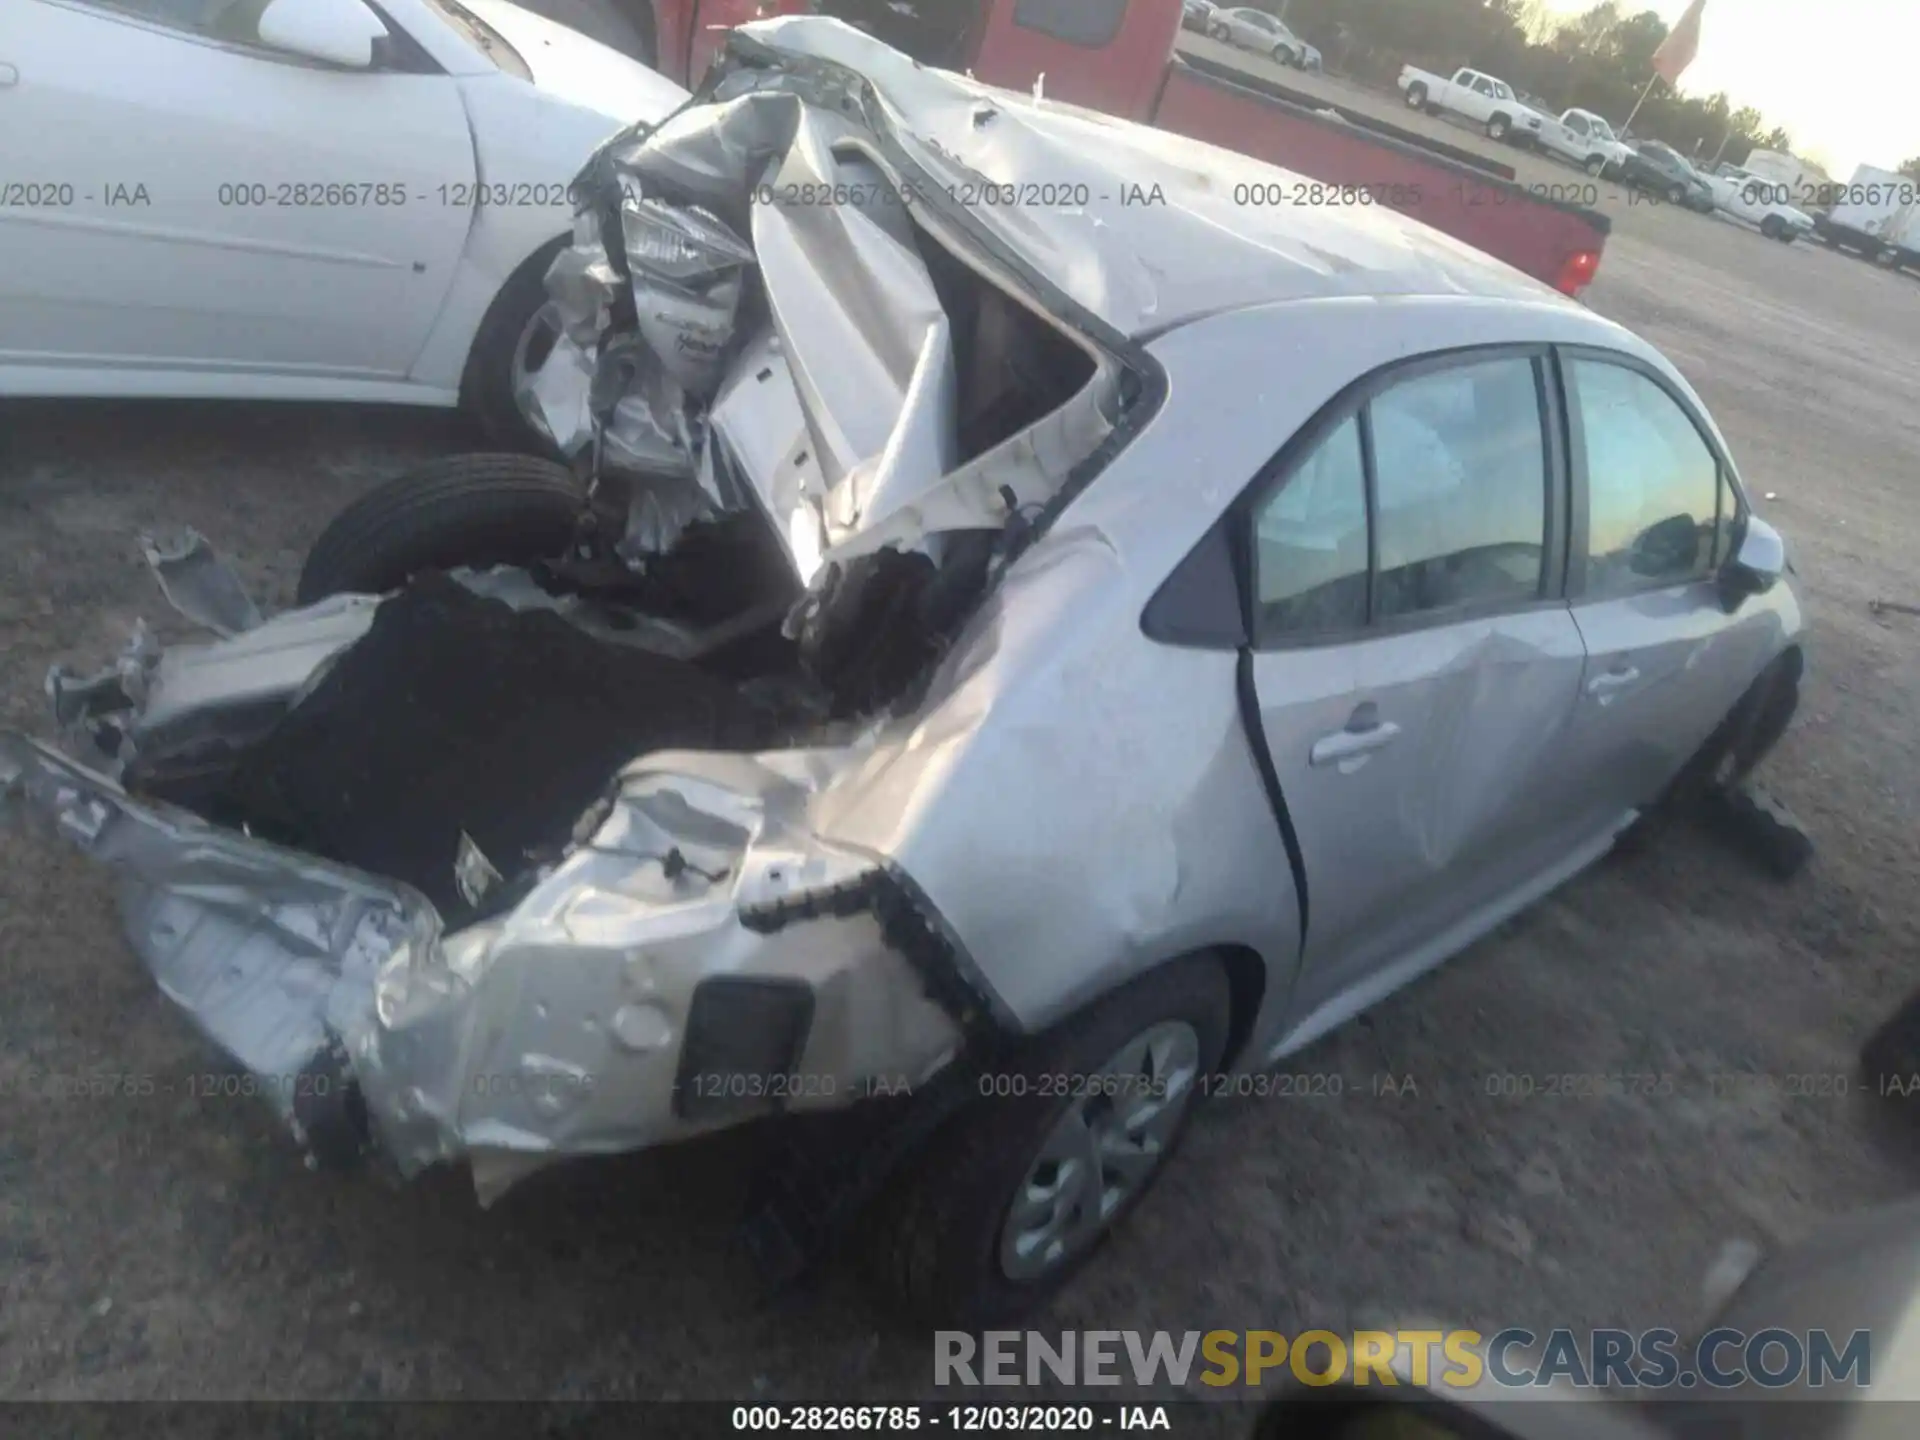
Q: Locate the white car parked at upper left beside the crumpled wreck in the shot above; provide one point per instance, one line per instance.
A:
(293, 199)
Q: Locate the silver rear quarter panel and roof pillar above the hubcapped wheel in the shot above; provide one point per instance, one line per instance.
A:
(1078, 802)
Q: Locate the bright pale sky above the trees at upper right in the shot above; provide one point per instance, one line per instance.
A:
(1836, 74)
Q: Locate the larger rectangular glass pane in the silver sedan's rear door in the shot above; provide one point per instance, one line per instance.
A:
(1460, 473)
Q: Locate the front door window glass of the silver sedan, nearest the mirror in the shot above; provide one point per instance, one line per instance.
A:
(1652, 483)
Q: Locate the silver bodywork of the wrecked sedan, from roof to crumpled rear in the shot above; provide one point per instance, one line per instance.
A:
(1067, 800)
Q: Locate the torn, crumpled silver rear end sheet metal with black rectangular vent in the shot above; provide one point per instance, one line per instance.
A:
(621, 1005)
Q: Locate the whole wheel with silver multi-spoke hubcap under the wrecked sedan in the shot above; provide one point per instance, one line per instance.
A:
(1020, 1189)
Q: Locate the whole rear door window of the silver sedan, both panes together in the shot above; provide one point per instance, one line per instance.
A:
(1456, 468)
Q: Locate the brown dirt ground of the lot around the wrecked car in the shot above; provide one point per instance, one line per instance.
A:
(174, 1247)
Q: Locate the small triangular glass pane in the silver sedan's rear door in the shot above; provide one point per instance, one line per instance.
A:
(1310, 542)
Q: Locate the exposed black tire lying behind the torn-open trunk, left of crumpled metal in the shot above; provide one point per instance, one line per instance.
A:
(458, 512)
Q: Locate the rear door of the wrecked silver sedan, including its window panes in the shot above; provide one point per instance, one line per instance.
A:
(1416, 665)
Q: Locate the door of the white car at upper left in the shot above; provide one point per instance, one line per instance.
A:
(214, 206)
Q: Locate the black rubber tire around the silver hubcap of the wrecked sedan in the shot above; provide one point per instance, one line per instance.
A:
(944, 1247)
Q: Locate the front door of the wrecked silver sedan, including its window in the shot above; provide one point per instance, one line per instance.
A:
(1654, 517)
